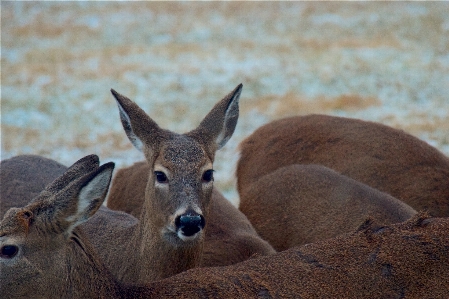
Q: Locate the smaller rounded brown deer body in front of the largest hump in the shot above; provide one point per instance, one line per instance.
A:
(300, 204)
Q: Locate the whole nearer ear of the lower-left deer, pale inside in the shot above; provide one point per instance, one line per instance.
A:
(90, 192)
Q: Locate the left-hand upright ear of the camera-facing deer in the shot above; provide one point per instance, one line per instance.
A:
(139, 127)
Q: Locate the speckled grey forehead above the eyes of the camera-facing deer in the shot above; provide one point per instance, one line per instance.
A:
(183, 153)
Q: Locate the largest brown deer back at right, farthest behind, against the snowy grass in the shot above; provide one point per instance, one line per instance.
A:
(377, 155)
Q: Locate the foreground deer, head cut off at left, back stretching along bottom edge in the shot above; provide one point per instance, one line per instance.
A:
(44, 253)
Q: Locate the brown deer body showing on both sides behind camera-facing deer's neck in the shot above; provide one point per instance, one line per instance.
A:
(230, 238)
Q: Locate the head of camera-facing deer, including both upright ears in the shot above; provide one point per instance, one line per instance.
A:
(180, 182)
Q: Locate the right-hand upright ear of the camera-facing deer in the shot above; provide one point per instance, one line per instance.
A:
(219, 124)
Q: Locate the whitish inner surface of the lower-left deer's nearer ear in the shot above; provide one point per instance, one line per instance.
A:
(95, 189)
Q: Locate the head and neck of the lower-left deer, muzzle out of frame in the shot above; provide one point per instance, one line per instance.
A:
(43, 253)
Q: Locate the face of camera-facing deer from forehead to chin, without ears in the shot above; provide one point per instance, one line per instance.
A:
(180, 187)
